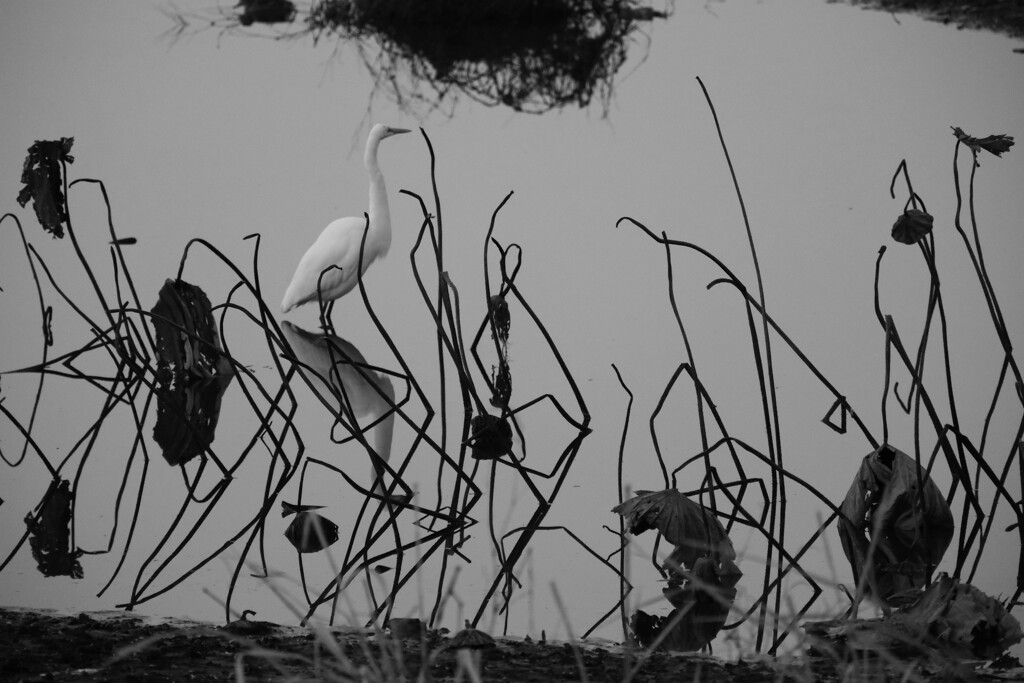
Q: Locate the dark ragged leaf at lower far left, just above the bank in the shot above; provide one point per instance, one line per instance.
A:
(50, 532)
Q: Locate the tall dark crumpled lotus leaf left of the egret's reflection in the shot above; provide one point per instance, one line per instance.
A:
(193, 372)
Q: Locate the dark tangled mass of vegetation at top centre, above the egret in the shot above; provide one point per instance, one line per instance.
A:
(531, 56)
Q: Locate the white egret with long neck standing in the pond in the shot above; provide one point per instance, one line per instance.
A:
(339, 243)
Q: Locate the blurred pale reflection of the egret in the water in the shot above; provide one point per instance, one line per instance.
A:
(364, 396)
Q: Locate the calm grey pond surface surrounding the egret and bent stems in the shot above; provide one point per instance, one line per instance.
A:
(221, 136)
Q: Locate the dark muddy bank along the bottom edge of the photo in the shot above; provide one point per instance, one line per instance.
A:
(121, 648)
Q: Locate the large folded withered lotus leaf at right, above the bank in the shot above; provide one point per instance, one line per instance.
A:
(910, 525)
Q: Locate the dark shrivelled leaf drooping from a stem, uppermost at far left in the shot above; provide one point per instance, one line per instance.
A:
(44, 183)
